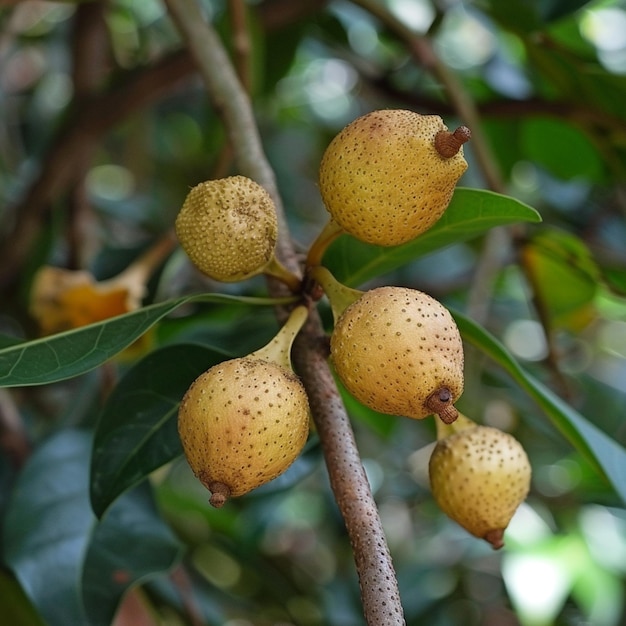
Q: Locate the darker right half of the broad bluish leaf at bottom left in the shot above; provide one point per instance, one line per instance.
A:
(130, 544)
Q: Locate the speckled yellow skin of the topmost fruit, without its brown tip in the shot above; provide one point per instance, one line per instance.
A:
(382, 179)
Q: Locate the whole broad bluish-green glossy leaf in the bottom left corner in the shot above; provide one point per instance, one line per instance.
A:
(73, 569)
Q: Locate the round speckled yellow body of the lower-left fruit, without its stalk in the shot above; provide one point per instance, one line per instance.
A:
(242, 423)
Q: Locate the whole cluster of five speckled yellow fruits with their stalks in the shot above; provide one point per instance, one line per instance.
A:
(384, 179)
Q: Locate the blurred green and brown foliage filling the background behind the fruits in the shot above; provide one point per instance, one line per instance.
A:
(101, 136)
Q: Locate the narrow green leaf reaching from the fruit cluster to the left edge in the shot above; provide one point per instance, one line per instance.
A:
(75, 352)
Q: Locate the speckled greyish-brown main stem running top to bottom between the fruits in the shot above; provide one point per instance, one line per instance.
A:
(379, 589)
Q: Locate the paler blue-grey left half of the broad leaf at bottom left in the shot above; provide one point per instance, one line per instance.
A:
(48, 524)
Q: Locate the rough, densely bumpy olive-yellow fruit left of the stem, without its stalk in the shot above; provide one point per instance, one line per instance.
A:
(228, 228)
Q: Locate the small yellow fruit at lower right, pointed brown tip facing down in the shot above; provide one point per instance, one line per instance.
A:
(479, 477)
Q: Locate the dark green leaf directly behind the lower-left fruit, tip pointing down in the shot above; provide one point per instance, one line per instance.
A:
(137, 429)
